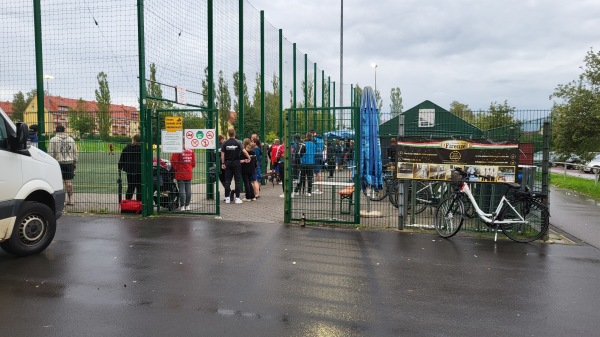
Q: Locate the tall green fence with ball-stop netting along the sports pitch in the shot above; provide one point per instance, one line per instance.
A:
(108, 70)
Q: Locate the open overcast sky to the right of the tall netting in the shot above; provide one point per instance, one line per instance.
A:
(474, 52)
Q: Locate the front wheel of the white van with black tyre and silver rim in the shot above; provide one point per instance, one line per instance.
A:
(34, 230)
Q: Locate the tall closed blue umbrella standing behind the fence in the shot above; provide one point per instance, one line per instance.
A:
(371, 172)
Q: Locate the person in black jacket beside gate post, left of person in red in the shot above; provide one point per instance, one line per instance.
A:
(131, 162)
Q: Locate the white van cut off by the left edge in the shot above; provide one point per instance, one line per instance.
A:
(31, 192)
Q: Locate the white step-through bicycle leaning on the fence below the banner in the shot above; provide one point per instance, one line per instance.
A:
(524, 219)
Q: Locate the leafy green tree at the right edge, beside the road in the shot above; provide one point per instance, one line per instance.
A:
(576, 117)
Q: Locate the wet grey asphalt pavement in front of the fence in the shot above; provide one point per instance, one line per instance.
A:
(183, 276)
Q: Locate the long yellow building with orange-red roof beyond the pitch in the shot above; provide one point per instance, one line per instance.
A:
(125, 120)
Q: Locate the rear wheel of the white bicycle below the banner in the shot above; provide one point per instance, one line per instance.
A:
(536, 222)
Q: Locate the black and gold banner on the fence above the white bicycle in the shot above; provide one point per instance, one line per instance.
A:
(434, 159)
